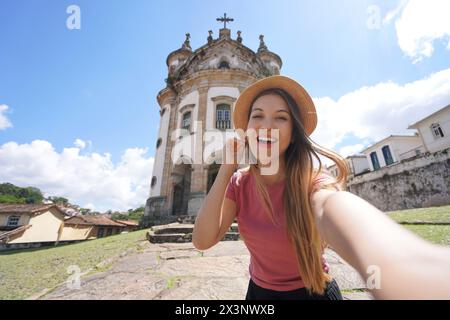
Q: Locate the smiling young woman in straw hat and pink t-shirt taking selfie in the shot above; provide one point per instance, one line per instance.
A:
(287, 218)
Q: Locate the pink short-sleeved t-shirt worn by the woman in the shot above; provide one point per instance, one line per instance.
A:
(273, 261)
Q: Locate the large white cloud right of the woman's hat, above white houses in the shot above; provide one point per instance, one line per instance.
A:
(375, 112)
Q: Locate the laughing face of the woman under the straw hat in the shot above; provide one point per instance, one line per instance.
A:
(272, 113)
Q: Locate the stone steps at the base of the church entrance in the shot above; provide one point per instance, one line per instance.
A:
(182, 232)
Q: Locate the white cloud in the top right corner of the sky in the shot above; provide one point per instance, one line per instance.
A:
(419, 23)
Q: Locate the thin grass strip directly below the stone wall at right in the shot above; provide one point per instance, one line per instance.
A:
(433, 214)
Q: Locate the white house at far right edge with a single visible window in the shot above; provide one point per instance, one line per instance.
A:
(435, 130)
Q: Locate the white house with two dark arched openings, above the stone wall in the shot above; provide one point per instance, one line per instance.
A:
(392, 149)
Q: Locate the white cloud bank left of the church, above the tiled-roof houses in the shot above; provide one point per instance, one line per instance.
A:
(89, 180)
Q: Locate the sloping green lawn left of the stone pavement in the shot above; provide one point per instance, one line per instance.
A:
(27, 272)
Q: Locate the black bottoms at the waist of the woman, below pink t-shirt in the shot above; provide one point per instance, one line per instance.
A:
(255, 292)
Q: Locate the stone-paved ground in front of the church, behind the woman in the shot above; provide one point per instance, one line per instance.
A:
(179, 271)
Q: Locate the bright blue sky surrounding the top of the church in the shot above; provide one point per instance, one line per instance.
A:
(100, 83)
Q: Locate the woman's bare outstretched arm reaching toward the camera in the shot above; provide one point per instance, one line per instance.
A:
(407, 266)
